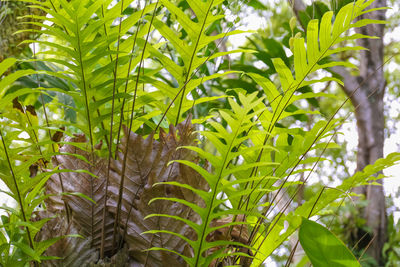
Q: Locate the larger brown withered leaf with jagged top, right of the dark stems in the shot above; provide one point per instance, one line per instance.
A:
(147, 164)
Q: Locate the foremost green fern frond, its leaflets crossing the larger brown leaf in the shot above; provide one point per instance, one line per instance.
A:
(229, 144)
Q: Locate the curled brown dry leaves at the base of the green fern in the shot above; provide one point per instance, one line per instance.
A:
(146, 164)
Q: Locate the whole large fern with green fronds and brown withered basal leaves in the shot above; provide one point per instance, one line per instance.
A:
(112, 163)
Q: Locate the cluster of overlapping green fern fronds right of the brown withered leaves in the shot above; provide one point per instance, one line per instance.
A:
(258, 168)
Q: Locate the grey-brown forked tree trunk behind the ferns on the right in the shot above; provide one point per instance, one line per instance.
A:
(366, 93)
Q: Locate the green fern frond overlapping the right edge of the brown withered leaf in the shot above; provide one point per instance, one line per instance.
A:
(228, 146)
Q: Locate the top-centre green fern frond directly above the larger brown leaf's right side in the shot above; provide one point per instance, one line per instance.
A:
(190, 52)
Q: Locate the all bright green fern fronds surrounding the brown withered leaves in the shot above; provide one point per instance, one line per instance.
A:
(106, 65)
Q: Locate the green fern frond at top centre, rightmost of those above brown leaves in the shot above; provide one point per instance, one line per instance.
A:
(189, 50)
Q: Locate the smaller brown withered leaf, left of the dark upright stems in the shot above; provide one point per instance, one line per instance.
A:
(87, 216)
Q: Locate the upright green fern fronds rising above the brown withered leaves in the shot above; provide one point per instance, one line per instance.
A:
(103, 54)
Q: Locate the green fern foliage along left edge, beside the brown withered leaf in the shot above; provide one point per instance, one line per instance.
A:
(21, 151)
